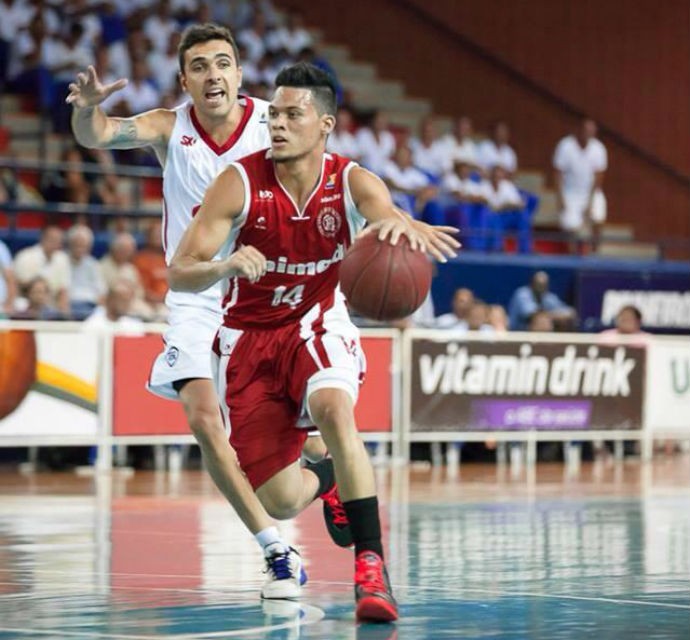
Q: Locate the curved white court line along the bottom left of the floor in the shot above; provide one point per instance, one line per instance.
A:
(311, 615)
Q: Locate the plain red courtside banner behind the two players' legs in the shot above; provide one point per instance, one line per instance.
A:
(138, 412)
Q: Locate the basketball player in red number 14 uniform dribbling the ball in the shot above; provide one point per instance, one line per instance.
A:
(288, 354)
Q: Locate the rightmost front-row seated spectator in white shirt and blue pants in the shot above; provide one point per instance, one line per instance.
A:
(508, 212)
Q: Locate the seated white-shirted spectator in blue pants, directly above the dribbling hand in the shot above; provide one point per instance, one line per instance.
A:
(411, 189)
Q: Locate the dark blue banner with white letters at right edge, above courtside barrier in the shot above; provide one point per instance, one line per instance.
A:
(663, 299)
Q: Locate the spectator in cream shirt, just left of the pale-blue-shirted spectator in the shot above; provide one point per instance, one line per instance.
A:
(48, 260)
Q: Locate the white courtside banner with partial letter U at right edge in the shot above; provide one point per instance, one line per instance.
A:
(668, 384)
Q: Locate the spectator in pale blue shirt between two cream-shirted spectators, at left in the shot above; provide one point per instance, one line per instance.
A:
(87, 287)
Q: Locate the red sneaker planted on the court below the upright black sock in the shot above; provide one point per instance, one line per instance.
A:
(373, 595)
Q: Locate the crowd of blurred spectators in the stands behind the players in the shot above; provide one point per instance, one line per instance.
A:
(457, 178)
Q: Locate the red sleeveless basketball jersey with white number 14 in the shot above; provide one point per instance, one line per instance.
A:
(303, 248)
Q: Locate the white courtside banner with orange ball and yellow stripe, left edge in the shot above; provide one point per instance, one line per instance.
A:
(48, 384)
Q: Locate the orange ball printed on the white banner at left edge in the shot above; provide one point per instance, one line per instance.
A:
(17, 368)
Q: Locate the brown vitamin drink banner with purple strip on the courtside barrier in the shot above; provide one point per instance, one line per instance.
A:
(477, 386)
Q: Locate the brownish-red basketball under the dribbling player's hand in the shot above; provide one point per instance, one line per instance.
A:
(383, 281)
